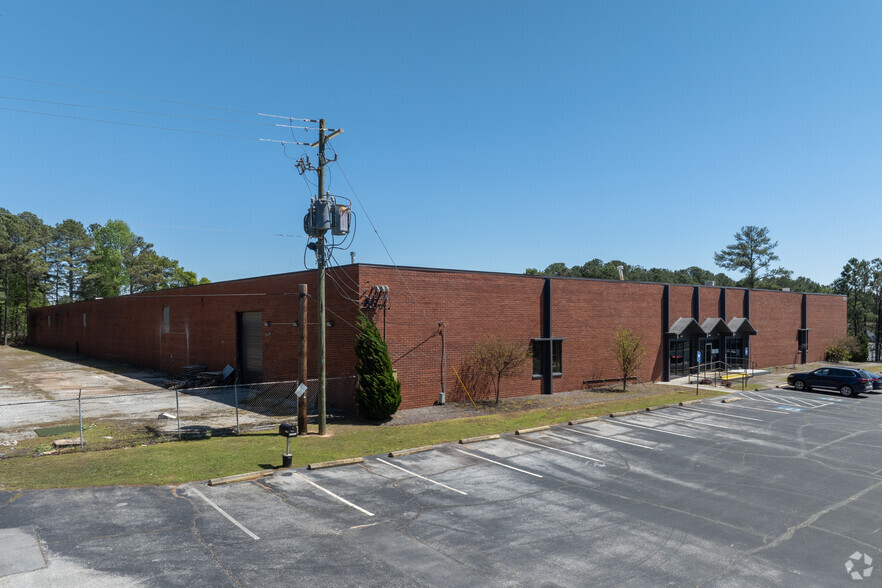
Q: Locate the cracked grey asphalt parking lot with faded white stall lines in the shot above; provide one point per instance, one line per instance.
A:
(781, 488)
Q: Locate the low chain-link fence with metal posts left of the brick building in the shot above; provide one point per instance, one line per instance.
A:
(93, 420)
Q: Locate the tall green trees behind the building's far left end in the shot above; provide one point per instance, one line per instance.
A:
(41, 264)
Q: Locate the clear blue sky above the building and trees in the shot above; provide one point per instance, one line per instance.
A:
(484, 135)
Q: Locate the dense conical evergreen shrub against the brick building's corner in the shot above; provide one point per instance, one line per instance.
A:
(379, 393)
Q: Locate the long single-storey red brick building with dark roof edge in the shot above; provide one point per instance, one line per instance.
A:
(432, 319)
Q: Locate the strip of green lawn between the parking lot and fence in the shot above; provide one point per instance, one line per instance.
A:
(177, 462)
